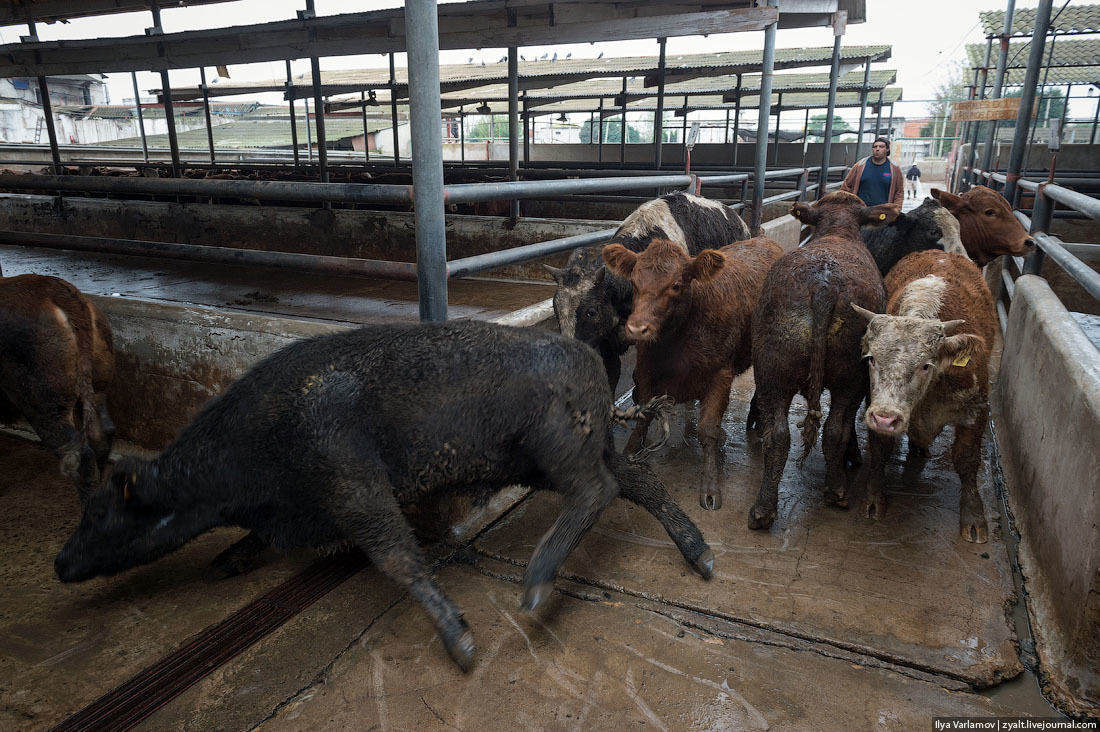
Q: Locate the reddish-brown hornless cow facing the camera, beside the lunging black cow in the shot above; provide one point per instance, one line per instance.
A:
(691, 324)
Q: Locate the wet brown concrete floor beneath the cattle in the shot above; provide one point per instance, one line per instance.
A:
(827, 622)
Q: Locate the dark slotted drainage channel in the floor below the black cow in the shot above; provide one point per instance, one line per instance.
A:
(126, 706)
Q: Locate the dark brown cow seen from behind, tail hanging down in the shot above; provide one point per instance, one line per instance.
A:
(805, 340)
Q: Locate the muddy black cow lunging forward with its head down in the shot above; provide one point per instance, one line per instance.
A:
(325, 442)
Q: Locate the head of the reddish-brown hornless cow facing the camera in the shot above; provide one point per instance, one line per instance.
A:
(663, 277)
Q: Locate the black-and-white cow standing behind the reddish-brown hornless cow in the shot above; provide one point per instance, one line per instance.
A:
(593, 304)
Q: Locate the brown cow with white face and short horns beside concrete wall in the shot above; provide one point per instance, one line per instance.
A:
(929, 362)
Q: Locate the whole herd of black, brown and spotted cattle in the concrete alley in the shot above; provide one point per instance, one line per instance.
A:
(326, 443)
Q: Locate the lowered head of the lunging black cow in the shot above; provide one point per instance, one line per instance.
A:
(128, 521)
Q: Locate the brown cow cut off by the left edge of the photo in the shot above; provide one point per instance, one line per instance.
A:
(57, 360)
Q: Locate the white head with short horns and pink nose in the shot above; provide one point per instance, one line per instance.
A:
(905, 356)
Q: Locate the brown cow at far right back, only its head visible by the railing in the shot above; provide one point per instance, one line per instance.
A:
(987, 226)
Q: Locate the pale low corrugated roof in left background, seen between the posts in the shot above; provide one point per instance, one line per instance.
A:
(259, 134)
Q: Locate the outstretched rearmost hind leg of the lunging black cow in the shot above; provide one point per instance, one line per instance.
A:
(640, 485)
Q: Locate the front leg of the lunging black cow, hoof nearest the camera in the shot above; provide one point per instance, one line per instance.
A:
(380, 529)
